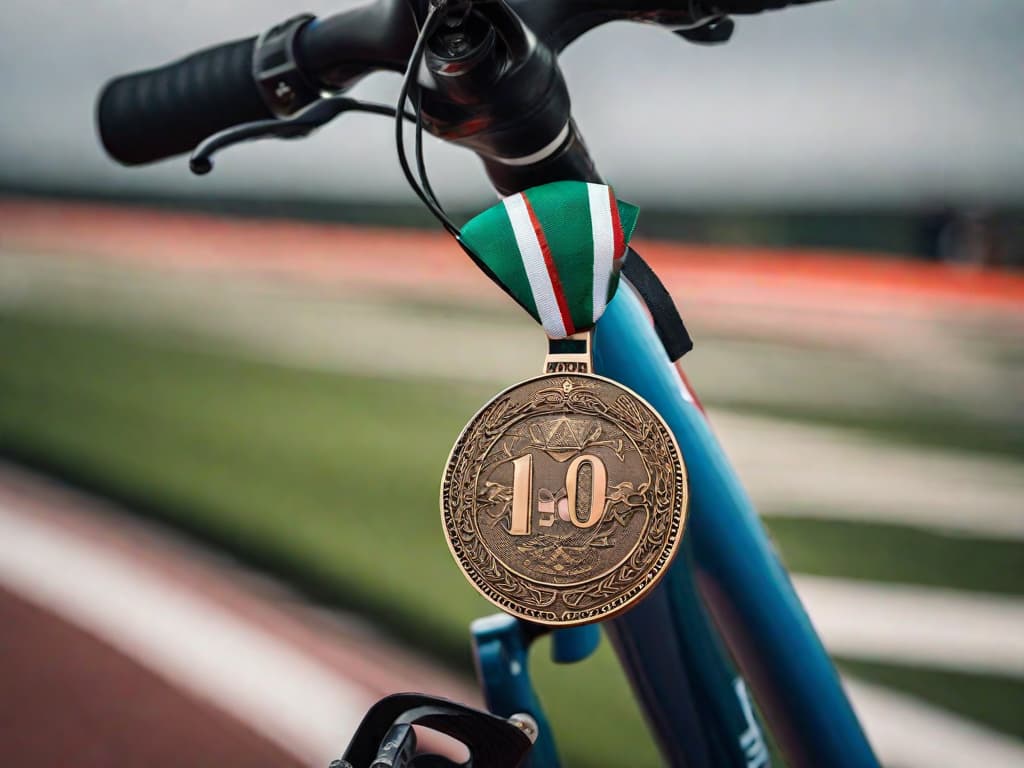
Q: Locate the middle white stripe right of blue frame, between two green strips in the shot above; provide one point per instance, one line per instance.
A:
(917, 626)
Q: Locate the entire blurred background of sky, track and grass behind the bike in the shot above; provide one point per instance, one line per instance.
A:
(226, 402)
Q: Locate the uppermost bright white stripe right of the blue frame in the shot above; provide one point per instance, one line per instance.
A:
(816, 472)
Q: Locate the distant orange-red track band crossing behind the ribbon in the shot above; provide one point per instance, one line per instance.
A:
(421, 261)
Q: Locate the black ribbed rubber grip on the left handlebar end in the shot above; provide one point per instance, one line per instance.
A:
(156, 114)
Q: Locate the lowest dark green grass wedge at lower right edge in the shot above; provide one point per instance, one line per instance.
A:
(997, 702)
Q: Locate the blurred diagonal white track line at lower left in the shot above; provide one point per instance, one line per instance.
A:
(274, 689)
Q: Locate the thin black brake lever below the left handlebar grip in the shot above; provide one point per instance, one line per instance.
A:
(301, 125)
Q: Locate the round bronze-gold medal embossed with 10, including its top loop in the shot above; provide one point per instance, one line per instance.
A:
(565, 498)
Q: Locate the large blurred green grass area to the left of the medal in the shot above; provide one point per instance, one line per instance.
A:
(304, 468)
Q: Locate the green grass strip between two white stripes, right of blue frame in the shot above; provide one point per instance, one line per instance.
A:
(899, 553)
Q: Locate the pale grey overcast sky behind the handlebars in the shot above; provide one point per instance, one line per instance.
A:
(885, 102)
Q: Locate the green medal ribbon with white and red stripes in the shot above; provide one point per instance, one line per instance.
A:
(558, 249)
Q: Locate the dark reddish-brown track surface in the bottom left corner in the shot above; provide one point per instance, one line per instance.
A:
(70, 700)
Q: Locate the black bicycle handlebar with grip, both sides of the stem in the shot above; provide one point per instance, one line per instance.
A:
(156, 114)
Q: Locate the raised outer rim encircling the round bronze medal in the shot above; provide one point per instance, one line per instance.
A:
(673, 550)
